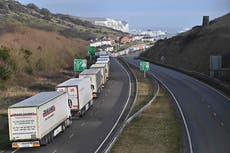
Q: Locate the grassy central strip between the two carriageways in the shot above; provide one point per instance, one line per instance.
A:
(156, 130)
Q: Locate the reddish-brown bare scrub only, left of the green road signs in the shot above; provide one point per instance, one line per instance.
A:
(47, 51)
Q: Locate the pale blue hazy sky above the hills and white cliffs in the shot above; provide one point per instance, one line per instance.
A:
(153, 14)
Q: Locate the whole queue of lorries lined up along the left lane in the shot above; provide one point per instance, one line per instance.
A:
(37, 120)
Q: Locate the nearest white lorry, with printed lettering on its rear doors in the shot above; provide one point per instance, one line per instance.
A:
(37, 120)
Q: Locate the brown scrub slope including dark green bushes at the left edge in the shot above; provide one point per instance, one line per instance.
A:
(30, 51)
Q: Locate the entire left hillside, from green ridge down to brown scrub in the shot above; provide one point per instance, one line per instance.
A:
(33, 40)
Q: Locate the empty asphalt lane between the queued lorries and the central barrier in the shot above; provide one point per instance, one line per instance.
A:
(87, 134)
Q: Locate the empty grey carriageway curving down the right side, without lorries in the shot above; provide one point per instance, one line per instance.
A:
(206, 111)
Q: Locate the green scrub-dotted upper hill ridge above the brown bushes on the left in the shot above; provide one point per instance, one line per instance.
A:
(12, 12)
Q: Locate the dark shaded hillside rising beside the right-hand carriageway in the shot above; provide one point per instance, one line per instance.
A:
(191, 50)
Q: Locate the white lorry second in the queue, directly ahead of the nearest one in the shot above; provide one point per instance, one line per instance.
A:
(80, 94)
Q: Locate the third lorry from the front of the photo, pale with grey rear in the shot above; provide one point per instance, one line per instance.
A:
(96, 79)
